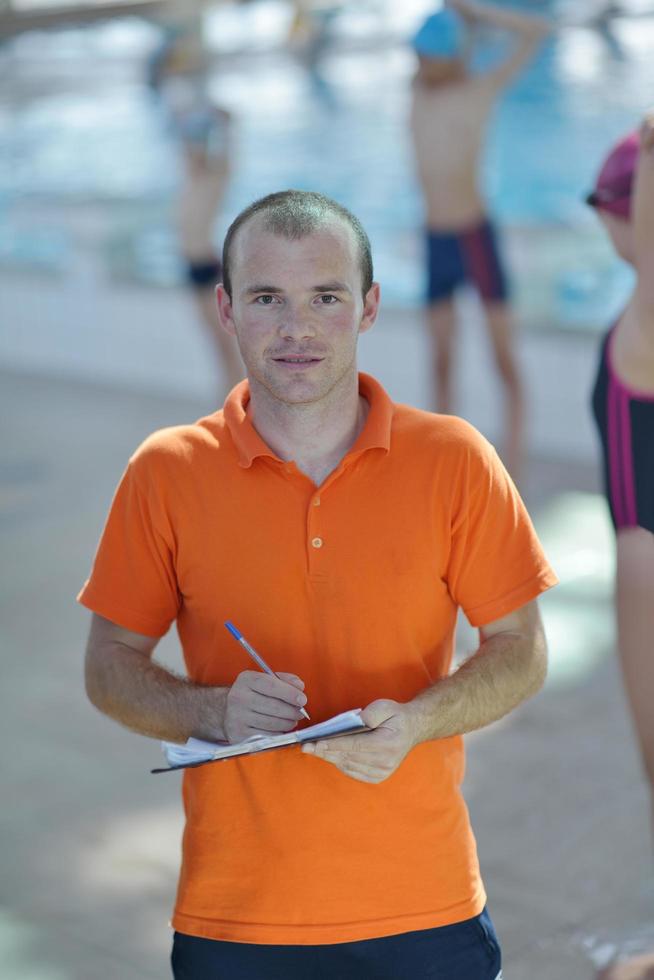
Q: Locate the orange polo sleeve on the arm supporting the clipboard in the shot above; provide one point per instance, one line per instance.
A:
(496, 562)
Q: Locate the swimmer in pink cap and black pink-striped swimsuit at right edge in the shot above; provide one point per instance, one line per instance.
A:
(623, 406)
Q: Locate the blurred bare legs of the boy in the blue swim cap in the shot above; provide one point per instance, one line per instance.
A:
(442, 328)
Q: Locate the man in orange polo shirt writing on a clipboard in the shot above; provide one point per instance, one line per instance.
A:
(342, 533)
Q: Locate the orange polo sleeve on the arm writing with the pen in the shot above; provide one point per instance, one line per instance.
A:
(133, 581)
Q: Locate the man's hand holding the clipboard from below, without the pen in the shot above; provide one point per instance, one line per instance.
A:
(371, 756)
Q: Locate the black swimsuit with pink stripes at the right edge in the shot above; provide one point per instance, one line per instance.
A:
(625, 419)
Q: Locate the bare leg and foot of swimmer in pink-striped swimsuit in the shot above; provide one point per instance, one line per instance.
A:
(635, 611)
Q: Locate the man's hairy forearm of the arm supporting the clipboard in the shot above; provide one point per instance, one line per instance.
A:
(507, 669)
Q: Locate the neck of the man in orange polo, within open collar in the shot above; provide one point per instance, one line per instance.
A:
(315, 436)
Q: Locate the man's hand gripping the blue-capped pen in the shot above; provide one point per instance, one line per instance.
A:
(261, 704)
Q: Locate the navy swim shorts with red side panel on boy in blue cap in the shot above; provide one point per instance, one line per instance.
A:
(468, 256)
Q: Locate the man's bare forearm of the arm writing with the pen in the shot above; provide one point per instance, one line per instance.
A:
(151, 700)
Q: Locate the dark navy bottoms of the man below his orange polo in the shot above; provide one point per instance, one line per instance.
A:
(465, 951)
